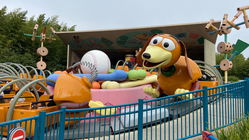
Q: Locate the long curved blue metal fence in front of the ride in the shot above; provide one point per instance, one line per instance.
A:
(179, 116)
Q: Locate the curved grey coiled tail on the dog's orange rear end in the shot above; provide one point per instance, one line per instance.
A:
(89, 65)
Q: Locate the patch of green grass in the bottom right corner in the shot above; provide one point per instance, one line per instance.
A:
(238, 131)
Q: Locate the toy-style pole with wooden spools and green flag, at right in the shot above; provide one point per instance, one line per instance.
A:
(226, 47)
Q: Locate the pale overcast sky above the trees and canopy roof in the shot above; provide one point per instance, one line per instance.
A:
(111, 14)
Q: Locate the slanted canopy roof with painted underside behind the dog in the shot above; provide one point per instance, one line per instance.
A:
(192, 34)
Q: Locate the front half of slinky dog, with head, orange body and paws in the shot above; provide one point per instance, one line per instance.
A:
(177, 74)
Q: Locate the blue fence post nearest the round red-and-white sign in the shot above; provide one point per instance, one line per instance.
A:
(41, 125)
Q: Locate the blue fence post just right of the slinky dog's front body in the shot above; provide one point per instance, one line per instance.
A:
(205, 108)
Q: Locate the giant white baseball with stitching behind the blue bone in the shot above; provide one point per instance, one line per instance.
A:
(97, 58)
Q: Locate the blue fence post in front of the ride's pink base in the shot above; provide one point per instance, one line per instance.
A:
(140, 119)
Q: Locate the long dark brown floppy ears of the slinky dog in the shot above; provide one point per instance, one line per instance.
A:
(180, 43)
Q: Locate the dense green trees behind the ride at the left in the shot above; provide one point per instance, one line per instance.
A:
(15, 47)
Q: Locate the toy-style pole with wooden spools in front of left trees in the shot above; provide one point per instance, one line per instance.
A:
(42, 51)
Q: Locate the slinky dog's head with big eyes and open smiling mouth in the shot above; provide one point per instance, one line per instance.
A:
(162, 50)
